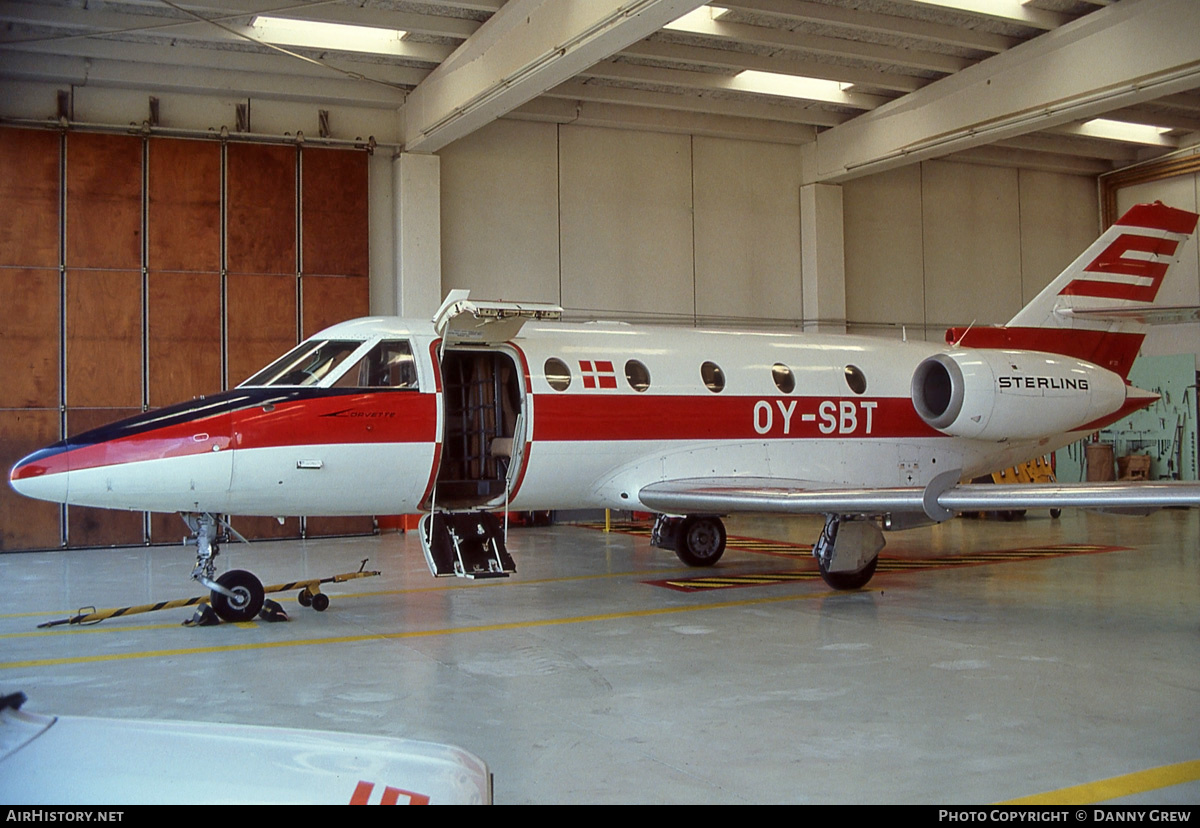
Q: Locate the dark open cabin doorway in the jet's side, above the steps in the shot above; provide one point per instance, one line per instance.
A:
(483, 435)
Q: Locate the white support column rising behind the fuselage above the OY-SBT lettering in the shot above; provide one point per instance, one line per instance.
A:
(823, 259)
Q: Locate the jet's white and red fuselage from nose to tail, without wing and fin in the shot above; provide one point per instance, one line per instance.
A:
(381, 416)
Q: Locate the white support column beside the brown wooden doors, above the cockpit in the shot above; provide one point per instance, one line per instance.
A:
(417, 211)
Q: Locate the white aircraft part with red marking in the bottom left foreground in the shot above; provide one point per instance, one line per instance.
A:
(81, 761)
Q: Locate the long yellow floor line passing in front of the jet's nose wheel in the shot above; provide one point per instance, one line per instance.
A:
(415, 634)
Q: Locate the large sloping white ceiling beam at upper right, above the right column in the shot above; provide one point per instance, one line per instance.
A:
(1118, 57)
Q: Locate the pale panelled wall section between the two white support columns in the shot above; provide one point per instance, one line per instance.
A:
(625, 224)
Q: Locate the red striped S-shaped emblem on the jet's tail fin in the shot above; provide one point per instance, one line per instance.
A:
(1139, 250)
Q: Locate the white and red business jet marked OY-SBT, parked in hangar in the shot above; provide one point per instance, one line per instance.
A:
(491, 407)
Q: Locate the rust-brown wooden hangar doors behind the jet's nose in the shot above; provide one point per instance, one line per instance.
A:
(177, 269)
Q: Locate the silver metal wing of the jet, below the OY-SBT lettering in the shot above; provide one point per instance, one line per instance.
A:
(939, 501)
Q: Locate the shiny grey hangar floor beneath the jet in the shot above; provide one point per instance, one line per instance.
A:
(988, 662)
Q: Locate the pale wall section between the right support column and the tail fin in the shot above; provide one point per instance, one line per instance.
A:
(944, 244)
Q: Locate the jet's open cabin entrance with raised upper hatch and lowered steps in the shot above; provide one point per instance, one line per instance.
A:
(484, 434)
